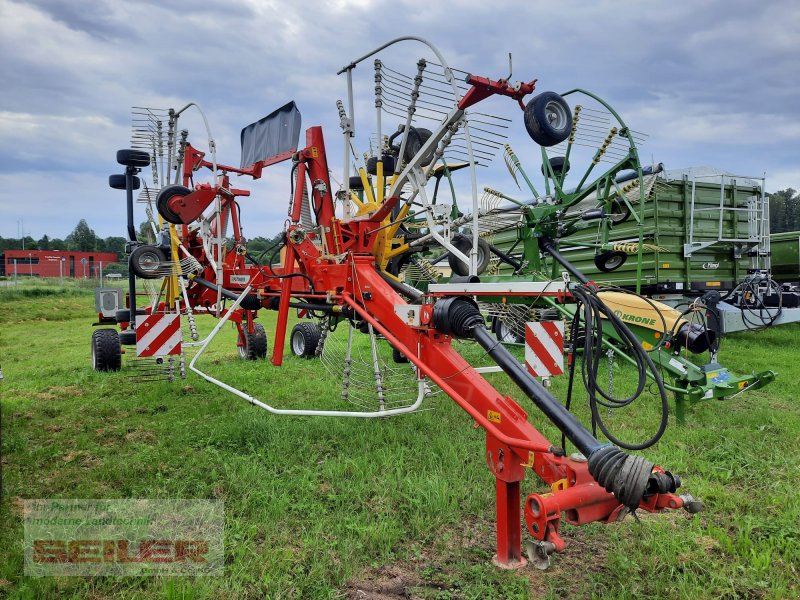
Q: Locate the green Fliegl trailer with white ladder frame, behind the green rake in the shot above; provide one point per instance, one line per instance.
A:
(703, 230)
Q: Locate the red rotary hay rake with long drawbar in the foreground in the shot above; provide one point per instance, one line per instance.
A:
(332, 268)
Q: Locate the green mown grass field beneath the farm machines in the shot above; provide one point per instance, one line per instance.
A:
(394, 508)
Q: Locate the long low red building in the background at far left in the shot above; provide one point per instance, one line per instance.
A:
(55, 263)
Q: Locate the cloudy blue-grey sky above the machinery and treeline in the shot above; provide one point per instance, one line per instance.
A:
(712, 83)
